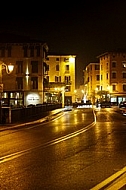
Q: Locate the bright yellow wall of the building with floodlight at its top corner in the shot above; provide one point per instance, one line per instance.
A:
(66, 75)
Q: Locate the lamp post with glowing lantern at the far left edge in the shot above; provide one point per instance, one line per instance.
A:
(9, 68)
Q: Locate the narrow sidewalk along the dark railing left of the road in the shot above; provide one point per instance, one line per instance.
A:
(52, 114)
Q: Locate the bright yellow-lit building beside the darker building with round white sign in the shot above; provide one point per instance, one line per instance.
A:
(60, 79)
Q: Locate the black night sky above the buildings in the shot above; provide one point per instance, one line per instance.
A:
(87, 29)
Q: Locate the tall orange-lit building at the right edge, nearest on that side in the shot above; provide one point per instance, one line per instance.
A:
(113, 75)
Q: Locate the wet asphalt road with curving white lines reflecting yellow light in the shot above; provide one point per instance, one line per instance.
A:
(78, 150)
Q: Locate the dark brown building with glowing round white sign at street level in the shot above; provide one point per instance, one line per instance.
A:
(24, 85)
